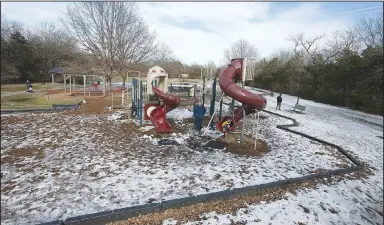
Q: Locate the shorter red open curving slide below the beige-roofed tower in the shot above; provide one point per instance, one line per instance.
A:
(158, 115)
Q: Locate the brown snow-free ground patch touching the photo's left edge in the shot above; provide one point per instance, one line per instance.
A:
(16, 154)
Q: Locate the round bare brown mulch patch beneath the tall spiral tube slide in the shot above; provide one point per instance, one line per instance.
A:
(247, 148)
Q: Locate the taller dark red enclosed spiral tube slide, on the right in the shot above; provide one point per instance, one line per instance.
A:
(251, 101)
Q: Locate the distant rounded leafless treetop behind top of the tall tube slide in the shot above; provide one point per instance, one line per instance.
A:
(240, 49)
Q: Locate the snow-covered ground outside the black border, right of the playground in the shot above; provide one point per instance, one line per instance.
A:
(347, 202)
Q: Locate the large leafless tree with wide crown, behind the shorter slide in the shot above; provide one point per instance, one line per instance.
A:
(113, 32)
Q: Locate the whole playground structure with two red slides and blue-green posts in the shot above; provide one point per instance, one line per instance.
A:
(159, 92)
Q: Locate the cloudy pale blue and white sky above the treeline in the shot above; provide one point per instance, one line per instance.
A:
(199, 32)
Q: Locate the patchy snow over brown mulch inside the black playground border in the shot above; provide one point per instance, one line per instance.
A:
(55, 166)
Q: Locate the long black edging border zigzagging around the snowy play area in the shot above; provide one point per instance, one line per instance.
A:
(130, 212)
